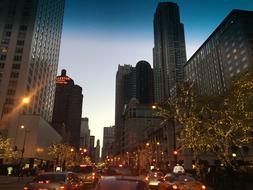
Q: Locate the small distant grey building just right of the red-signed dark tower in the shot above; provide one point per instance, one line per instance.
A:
(85, 134)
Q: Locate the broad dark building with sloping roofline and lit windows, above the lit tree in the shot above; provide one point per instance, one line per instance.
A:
(227, 52)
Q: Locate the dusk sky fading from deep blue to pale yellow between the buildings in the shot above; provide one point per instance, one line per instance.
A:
(98, 35)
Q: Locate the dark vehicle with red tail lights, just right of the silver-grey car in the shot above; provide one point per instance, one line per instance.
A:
(87, 173)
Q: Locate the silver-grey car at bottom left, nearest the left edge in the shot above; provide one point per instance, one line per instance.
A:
(55, 181)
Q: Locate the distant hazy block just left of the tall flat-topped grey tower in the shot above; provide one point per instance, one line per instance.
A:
(108, 140)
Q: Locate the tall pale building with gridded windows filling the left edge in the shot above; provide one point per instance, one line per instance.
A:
(29, 53)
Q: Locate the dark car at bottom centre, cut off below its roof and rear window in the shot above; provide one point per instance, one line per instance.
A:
(121, 183)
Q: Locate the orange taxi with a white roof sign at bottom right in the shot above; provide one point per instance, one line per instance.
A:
(180, 181)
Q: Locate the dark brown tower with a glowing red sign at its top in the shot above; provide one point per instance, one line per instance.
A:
(67, 111)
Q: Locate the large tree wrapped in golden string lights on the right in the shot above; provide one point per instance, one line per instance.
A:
(214, 124)
